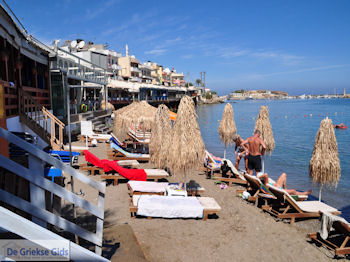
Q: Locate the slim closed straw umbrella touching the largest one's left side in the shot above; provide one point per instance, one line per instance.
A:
(160, 137)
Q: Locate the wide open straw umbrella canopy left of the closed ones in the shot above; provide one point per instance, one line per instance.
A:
(135, 114)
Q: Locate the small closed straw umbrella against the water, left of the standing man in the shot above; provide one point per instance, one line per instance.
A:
(227, 128)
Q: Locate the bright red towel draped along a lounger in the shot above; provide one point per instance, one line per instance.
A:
(107, 165)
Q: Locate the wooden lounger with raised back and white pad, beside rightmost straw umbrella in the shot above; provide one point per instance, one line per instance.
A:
(288, 208)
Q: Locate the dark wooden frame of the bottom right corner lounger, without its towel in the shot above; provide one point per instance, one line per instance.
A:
(338, 238)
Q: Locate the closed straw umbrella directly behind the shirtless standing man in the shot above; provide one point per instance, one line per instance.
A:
(263, 124)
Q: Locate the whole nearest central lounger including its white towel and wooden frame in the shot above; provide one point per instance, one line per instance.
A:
(173, 206)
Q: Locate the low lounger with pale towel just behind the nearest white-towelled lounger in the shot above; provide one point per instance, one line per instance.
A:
(155, 188)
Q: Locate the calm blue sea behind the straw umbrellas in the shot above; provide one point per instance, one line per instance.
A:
(295, 123)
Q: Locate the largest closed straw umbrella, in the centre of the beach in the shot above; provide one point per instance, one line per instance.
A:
(187, 150)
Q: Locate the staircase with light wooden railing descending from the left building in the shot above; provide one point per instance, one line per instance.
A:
(40, 120)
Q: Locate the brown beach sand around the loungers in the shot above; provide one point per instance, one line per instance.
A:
(240, 232)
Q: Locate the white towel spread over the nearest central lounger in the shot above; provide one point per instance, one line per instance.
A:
(169, 206)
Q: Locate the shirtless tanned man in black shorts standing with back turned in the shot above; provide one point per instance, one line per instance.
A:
(254, 157)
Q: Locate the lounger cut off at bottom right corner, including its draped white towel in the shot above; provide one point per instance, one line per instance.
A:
(337, 239)
